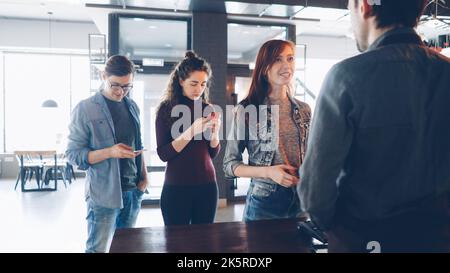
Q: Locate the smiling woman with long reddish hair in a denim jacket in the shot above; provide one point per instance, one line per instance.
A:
(276, 149)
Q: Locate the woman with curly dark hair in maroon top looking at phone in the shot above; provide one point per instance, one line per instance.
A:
(189, 194)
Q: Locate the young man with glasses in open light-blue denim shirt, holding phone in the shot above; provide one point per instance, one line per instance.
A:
(105, 140)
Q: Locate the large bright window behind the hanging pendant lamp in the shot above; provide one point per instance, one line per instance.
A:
(31, 79)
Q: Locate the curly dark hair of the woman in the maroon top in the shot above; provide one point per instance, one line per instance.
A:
(182, 71)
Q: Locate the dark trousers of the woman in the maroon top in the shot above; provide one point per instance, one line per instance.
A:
(184, 205)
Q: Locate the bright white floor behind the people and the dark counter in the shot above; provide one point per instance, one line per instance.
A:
(55, 221)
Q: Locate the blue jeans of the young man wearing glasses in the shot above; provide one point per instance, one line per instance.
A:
(102, 222)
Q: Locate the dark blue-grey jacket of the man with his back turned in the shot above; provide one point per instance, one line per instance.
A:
(380, 136)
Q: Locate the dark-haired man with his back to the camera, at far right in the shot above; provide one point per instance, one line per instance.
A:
(377, 169)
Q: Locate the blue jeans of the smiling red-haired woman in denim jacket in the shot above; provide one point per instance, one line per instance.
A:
(271, 201)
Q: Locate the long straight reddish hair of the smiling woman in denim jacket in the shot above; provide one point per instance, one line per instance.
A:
(259, 89)
